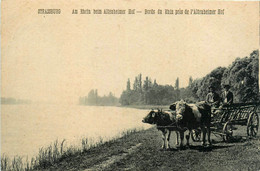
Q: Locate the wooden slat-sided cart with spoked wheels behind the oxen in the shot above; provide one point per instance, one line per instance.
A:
(225, 118)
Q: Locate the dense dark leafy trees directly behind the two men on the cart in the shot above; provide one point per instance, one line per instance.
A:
(241, 75)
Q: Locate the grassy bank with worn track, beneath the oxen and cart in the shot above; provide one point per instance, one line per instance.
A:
(141, 151)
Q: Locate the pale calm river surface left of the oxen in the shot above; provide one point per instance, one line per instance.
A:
(26, 128)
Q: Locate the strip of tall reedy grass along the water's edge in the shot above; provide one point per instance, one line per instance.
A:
(56, 152)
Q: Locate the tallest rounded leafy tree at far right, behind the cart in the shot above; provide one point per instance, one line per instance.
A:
(242, 75)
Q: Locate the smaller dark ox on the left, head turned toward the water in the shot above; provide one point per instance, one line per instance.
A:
(165, 122)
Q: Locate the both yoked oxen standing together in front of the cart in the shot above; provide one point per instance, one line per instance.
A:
(182, 117)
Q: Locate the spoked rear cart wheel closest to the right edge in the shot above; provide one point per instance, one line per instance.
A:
(252, 125)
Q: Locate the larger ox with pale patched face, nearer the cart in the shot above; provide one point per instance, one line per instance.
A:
(193, 116)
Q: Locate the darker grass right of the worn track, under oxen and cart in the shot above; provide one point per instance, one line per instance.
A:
(238, 155)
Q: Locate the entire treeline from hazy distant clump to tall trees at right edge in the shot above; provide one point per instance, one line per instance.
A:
(242, 75)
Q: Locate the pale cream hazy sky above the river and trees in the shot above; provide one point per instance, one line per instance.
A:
(58, 58)
